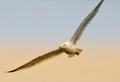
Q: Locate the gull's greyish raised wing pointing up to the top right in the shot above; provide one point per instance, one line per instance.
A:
(84, 23)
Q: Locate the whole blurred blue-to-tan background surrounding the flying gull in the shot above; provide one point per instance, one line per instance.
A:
(30, 28)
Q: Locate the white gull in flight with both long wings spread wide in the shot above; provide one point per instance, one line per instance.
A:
(67, 47)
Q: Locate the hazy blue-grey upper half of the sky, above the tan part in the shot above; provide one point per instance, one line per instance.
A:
(36, 20)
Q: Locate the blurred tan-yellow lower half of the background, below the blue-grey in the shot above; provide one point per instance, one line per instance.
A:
(99, 63)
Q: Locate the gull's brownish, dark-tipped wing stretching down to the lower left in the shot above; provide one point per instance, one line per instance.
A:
(37, 60)
